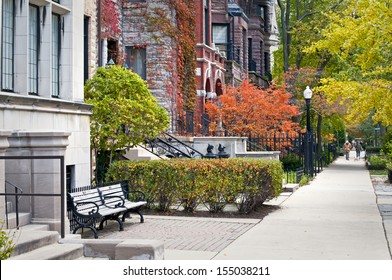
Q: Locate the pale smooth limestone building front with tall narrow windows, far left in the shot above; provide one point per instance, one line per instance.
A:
(42, 109)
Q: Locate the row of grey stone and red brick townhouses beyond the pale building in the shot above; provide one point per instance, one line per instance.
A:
(235, 39)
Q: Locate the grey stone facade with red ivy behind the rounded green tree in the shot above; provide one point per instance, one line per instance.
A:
(150, 53)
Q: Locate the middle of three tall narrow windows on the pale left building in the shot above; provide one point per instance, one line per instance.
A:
(33, 49)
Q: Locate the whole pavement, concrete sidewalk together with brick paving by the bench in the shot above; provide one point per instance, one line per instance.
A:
(335, 217)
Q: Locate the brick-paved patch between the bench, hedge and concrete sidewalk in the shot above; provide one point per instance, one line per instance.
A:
(181, 233)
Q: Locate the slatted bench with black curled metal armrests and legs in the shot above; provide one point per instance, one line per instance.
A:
(98, 205)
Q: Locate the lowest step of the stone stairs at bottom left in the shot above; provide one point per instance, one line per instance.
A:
(53, 252)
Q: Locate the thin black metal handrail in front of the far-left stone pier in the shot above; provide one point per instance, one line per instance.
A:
(62, 186)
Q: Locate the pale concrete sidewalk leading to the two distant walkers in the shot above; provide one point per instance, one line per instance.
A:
(335, 217)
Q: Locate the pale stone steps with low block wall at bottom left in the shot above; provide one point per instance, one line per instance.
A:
(36, 242)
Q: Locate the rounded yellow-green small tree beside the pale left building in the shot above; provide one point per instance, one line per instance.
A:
(124, 111)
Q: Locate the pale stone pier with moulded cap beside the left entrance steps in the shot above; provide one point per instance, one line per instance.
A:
(38, 175)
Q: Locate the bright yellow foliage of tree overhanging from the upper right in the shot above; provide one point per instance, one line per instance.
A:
(359, 38)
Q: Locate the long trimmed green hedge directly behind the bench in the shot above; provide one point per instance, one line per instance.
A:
(247, 183)
